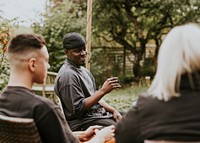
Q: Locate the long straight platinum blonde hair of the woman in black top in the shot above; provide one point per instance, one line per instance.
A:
(179, 53)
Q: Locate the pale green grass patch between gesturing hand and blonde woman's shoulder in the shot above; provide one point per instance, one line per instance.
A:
(122, 99)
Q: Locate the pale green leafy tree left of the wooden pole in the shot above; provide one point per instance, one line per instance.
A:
(59, 19)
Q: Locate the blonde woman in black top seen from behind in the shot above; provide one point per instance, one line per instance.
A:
(169, 110)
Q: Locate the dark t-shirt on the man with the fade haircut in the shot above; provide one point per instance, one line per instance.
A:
(51, 124)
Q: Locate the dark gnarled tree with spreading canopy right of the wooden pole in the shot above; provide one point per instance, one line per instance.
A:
(134, 23)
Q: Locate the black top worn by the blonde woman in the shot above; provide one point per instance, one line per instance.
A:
(175, 120)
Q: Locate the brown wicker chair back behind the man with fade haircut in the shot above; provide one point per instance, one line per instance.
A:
(18, 130)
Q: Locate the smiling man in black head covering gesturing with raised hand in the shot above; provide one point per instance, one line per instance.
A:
(75, 86)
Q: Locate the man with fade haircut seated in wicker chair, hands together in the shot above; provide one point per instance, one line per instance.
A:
(28, 58)
